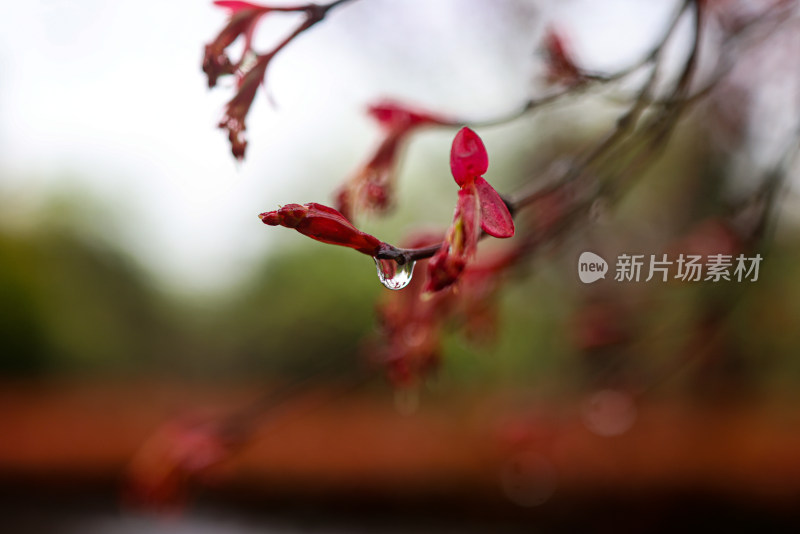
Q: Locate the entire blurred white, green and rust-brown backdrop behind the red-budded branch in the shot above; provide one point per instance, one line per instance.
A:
(137, 285)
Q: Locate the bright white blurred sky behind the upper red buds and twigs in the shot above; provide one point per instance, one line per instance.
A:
(107, 100)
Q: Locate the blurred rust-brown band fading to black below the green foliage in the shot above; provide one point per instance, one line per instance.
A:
(484, 456)
